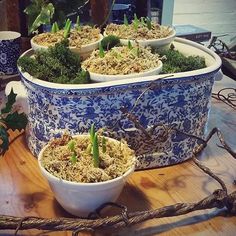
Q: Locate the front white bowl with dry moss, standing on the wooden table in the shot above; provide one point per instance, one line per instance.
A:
(78, 184)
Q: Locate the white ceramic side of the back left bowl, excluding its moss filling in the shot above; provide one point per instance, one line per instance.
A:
(84, 51)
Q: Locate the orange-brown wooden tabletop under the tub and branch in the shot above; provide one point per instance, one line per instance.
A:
(24, 192)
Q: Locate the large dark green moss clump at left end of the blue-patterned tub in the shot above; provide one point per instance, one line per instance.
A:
(57, 64)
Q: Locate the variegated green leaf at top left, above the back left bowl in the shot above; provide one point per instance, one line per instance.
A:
(39, 12)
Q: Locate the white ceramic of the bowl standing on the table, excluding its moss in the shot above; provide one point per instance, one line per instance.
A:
(82, 198)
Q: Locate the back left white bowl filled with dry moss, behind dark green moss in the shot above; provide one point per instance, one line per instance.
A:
(82, 42)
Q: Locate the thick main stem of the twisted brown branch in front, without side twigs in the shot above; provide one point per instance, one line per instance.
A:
(219, 199)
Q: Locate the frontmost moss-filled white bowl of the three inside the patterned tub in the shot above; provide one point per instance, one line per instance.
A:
(121, 63)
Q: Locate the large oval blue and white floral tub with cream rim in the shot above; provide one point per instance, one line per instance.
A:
(180, 101)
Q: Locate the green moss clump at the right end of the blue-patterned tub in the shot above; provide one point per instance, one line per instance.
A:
(174, 61)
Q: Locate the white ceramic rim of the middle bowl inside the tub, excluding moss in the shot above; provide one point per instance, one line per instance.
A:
(106, 78)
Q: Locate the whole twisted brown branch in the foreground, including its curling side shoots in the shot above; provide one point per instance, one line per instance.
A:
(218, 199)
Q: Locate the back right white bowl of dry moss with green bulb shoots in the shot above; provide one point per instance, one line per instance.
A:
(142, 31)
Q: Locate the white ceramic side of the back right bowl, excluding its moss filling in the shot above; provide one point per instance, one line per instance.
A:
(156, 43)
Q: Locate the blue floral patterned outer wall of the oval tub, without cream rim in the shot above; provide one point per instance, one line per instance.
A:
(170, 102)
